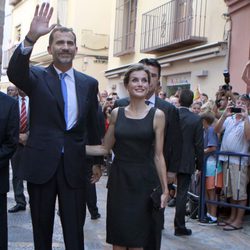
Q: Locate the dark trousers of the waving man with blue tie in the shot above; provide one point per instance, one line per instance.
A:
(71, 207)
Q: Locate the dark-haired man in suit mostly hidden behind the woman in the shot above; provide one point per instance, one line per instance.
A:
(172, 142)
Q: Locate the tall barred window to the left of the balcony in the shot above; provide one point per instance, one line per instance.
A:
(124, 39)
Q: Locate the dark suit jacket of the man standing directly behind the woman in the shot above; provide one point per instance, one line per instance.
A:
(172, 142)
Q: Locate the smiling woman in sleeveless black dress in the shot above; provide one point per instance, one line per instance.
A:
(135, 135)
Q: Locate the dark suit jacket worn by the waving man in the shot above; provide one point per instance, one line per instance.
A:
(48, 134)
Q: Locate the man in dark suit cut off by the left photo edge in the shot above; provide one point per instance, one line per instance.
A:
(9, 126)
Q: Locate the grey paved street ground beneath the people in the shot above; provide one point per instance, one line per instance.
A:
(204, 237)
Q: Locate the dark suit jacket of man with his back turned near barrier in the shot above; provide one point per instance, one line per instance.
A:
(192, 147)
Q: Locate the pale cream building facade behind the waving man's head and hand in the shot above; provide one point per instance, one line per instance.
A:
(90, 23)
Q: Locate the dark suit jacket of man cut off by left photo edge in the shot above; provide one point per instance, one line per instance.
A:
(9, 131)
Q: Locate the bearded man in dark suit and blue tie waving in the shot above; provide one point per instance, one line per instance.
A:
(63, 106)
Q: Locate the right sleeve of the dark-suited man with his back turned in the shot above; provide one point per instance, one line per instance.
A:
(199, 145)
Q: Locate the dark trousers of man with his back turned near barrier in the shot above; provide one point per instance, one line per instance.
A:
(183, 182)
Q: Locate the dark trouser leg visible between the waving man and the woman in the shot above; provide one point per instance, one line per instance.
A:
(91, 197)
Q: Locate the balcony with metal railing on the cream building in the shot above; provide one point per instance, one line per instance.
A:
(176, 24)
